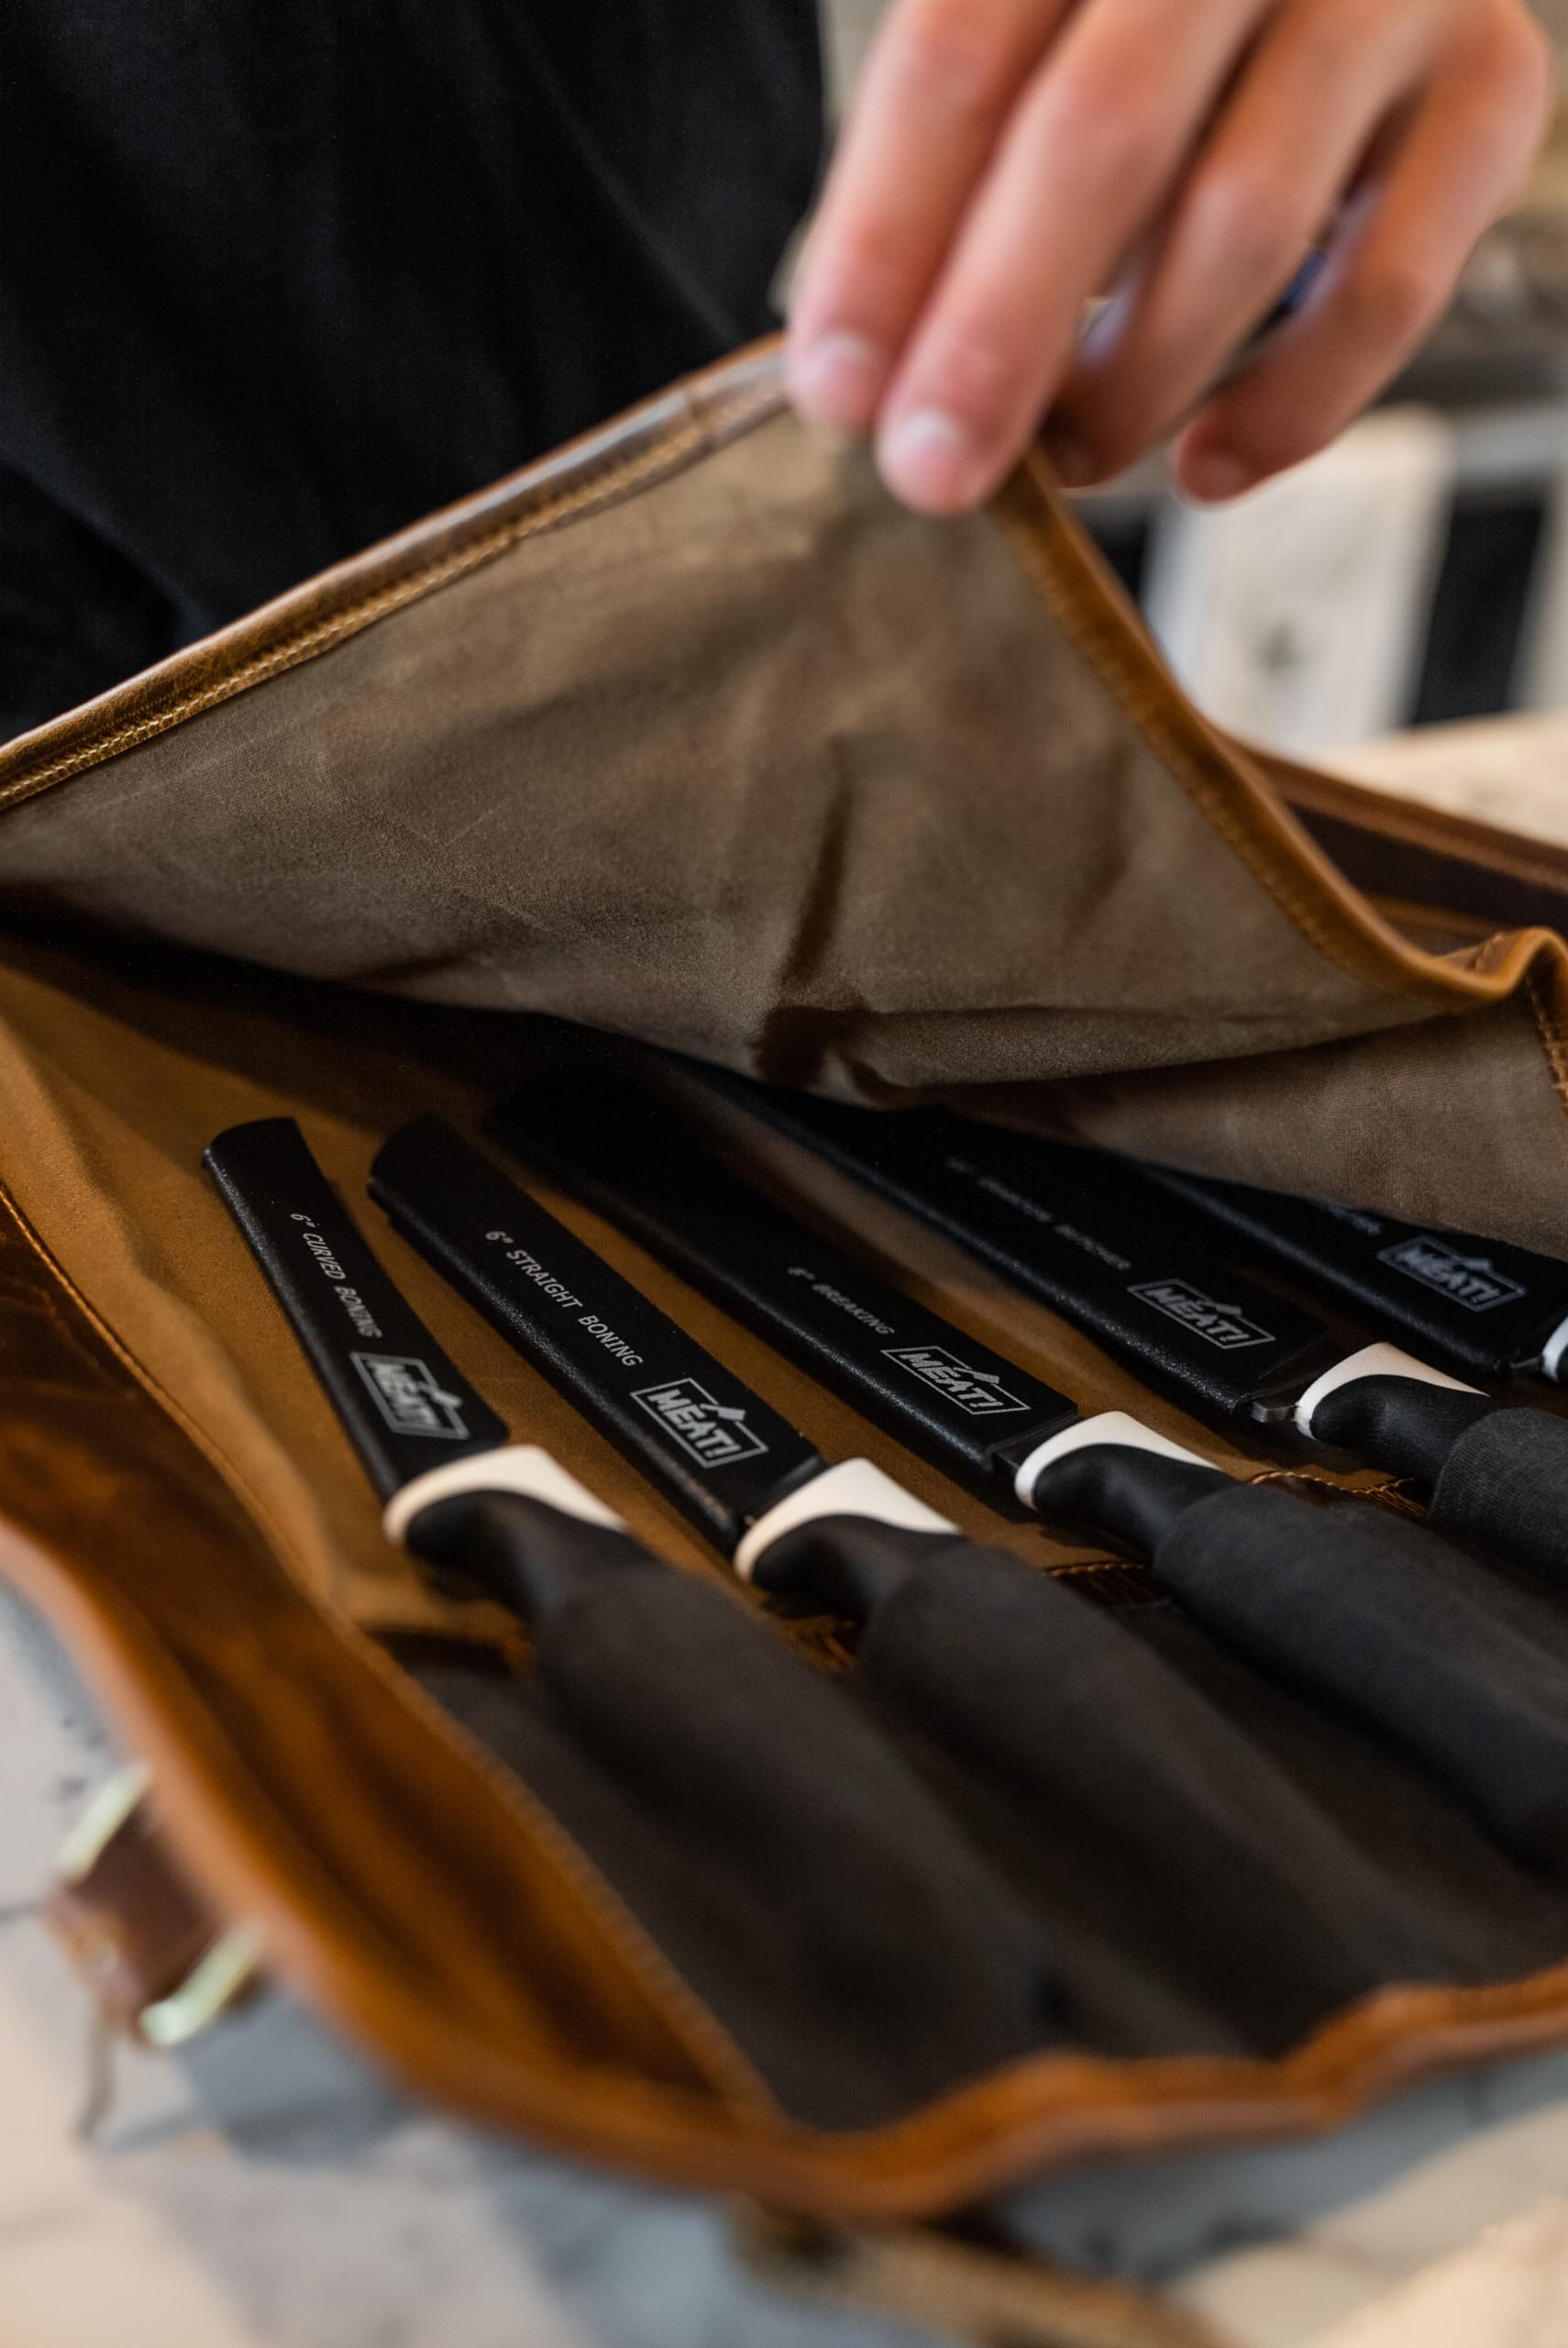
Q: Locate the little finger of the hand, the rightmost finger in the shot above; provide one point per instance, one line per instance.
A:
(1445, 175)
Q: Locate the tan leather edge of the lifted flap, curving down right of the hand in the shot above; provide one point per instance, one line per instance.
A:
(1226, 785)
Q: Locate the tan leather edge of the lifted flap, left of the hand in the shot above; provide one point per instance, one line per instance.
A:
(635, 450)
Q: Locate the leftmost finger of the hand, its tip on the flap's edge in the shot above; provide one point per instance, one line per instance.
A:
(931, 112)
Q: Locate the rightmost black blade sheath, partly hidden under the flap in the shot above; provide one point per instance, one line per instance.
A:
(1473, 1307)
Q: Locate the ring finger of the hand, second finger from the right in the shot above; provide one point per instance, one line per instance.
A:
(1259, 196)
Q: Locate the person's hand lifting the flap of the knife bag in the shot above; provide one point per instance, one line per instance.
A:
(1008, 161)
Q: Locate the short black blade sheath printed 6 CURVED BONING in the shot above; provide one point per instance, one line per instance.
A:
(400, 1398)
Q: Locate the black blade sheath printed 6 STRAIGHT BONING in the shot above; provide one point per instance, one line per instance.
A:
(715, 1448)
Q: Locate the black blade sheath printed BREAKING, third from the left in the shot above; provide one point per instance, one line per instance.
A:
(949, 1398)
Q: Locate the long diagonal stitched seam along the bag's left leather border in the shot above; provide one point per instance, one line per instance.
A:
(691, 2020)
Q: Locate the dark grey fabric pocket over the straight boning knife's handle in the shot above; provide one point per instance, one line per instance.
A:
(1198, 1896)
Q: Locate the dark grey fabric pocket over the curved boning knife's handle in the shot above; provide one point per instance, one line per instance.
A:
(769, 1837)
